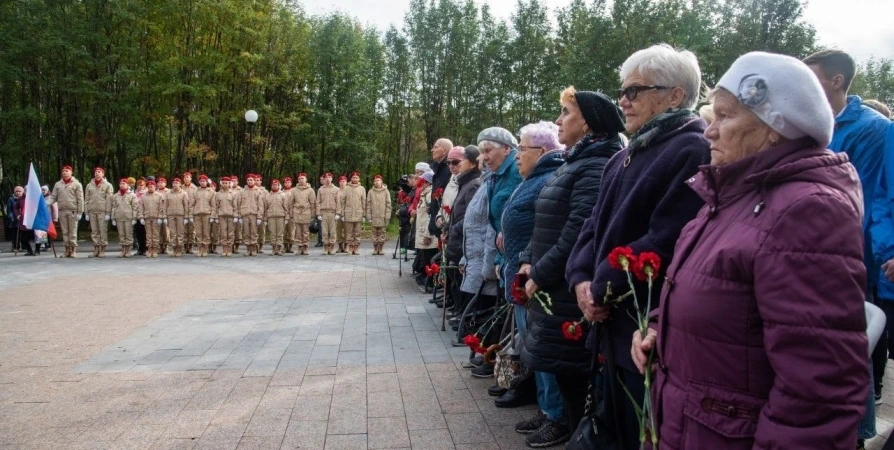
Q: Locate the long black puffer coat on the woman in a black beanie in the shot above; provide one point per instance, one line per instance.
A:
(564, 203)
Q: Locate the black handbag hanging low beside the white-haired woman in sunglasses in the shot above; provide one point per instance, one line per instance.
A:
(592, 432)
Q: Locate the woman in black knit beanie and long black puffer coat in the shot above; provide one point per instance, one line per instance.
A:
(589, 124)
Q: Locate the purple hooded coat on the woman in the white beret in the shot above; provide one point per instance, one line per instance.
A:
(761, 329)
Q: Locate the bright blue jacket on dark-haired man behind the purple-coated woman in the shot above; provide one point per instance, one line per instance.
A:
(860, 132)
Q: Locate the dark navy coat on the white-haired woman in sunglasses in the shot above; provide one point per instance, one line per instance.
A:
(643, 203)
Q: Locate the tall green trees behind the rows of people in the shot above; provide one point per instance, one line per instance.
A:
(156, 87)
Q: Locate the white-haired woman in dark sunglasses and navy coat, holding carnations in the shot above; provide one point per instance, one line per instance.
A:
(643, 204)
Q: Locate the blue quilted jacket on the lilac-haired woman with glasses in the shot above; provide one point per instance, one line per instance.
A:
(518, 215)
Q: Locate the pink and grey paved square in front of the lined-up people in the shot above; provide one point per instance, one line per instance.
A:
(315, 352)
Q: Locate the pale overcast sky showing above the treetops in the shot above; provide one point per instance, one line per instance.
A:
(862, 28)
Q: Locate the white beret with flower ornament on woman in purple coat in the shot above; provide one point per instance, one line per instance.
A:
(784, 93)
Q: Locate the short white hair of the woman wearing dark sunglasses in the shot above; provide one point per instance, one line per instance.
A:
(667, 66)
